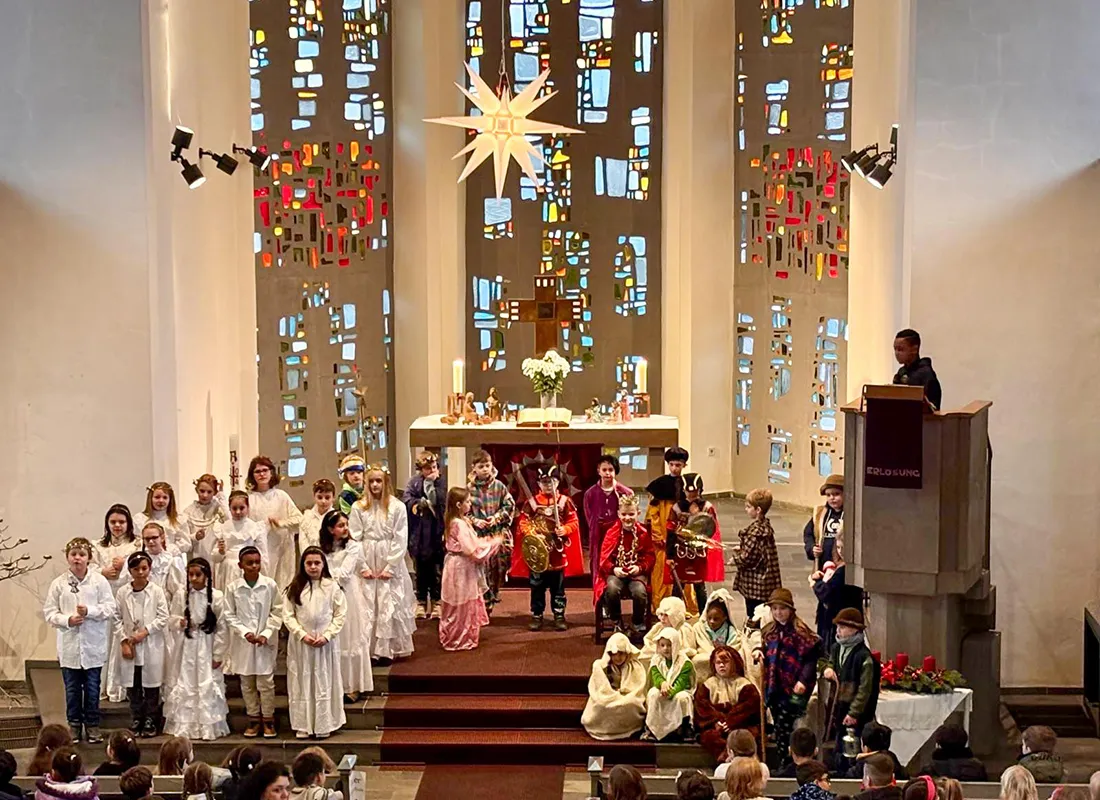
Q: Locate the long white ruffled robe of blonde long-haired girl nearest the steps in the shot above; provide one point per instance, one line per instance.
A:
(391, 605)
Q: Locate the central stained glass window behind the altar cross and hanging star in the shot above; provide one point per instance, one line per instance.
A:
(593, 222)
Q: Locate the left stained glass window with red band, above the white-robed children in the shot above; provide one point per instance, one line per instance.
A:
(321, 97)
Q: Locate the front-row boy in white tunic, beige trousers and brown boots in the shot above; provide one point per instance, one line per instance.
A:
(254, 612)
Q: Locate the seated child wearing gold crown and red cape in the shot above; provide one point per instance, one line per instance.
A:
(625, 562)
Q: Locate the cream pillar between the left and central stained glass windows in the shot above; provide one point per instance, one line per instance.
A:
(431, 297)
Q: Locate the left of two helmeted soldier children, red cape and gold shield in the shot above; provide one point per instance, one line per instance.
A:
(564, 549)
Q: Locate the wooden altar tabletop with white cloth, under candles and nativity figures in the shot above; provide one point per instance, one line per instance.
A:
(654, 434)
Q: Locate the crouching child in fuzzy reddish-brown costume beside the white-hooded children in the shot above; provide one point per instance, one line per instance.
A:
(733, 700)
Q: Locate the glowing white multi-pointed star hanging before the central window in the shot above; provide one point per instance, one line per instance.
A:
(503, 128)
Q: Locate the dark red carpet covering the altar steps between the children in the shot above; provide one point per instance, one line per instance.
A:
(518, 699)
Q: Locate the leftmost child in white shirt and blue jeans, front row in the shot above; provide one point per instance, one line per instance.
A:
(81, 605)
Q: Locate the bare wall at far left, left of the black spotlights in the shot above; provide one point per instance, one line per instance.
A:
(75, 400)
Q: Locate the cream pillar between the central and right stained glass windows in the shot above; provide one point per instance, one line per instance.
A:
(698, 303)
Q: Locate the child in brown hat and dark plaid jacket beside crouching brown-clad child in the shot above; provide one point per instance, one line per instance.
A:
(790, 657)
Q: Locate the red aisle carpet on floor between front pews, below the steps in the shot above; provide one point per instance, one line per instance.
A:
(446, 783)
